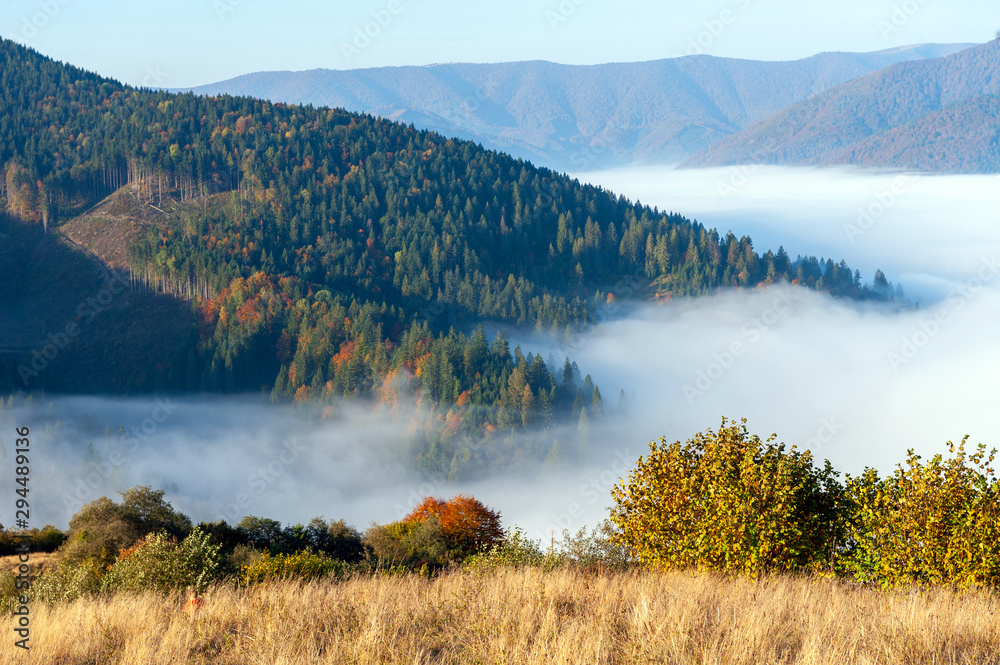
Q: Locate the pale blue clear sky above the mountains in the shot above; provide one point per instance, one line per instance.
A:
(174, 43)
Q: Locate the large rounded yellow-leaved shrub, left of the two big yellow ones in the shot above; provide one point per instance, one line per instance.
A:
(731, 502)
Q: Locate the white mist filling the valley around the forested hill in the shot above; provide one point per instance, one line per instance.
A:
(857, 383)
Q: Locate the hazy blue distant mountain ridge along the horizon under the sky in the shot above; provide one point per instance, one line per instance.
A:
(579, 117)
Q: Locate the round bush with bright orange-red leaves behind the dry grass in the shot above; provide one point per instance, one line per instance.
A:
(467, 525)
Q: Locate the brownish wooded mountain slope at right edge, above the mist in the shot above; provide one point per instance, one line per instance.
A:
(937, 115)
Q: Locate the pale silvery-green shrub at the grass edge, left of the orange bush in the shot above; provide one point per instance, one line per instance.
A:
(159, 563)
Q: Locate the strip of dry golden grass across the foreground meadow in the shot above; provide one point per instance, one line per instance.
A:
(526, 616)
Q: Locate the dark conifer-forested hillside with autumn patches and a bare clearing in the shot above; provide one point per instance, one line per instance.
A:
(318, 253)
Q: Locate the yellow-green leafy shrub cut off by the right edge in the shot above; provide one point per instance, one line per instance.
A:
(933, 522)
